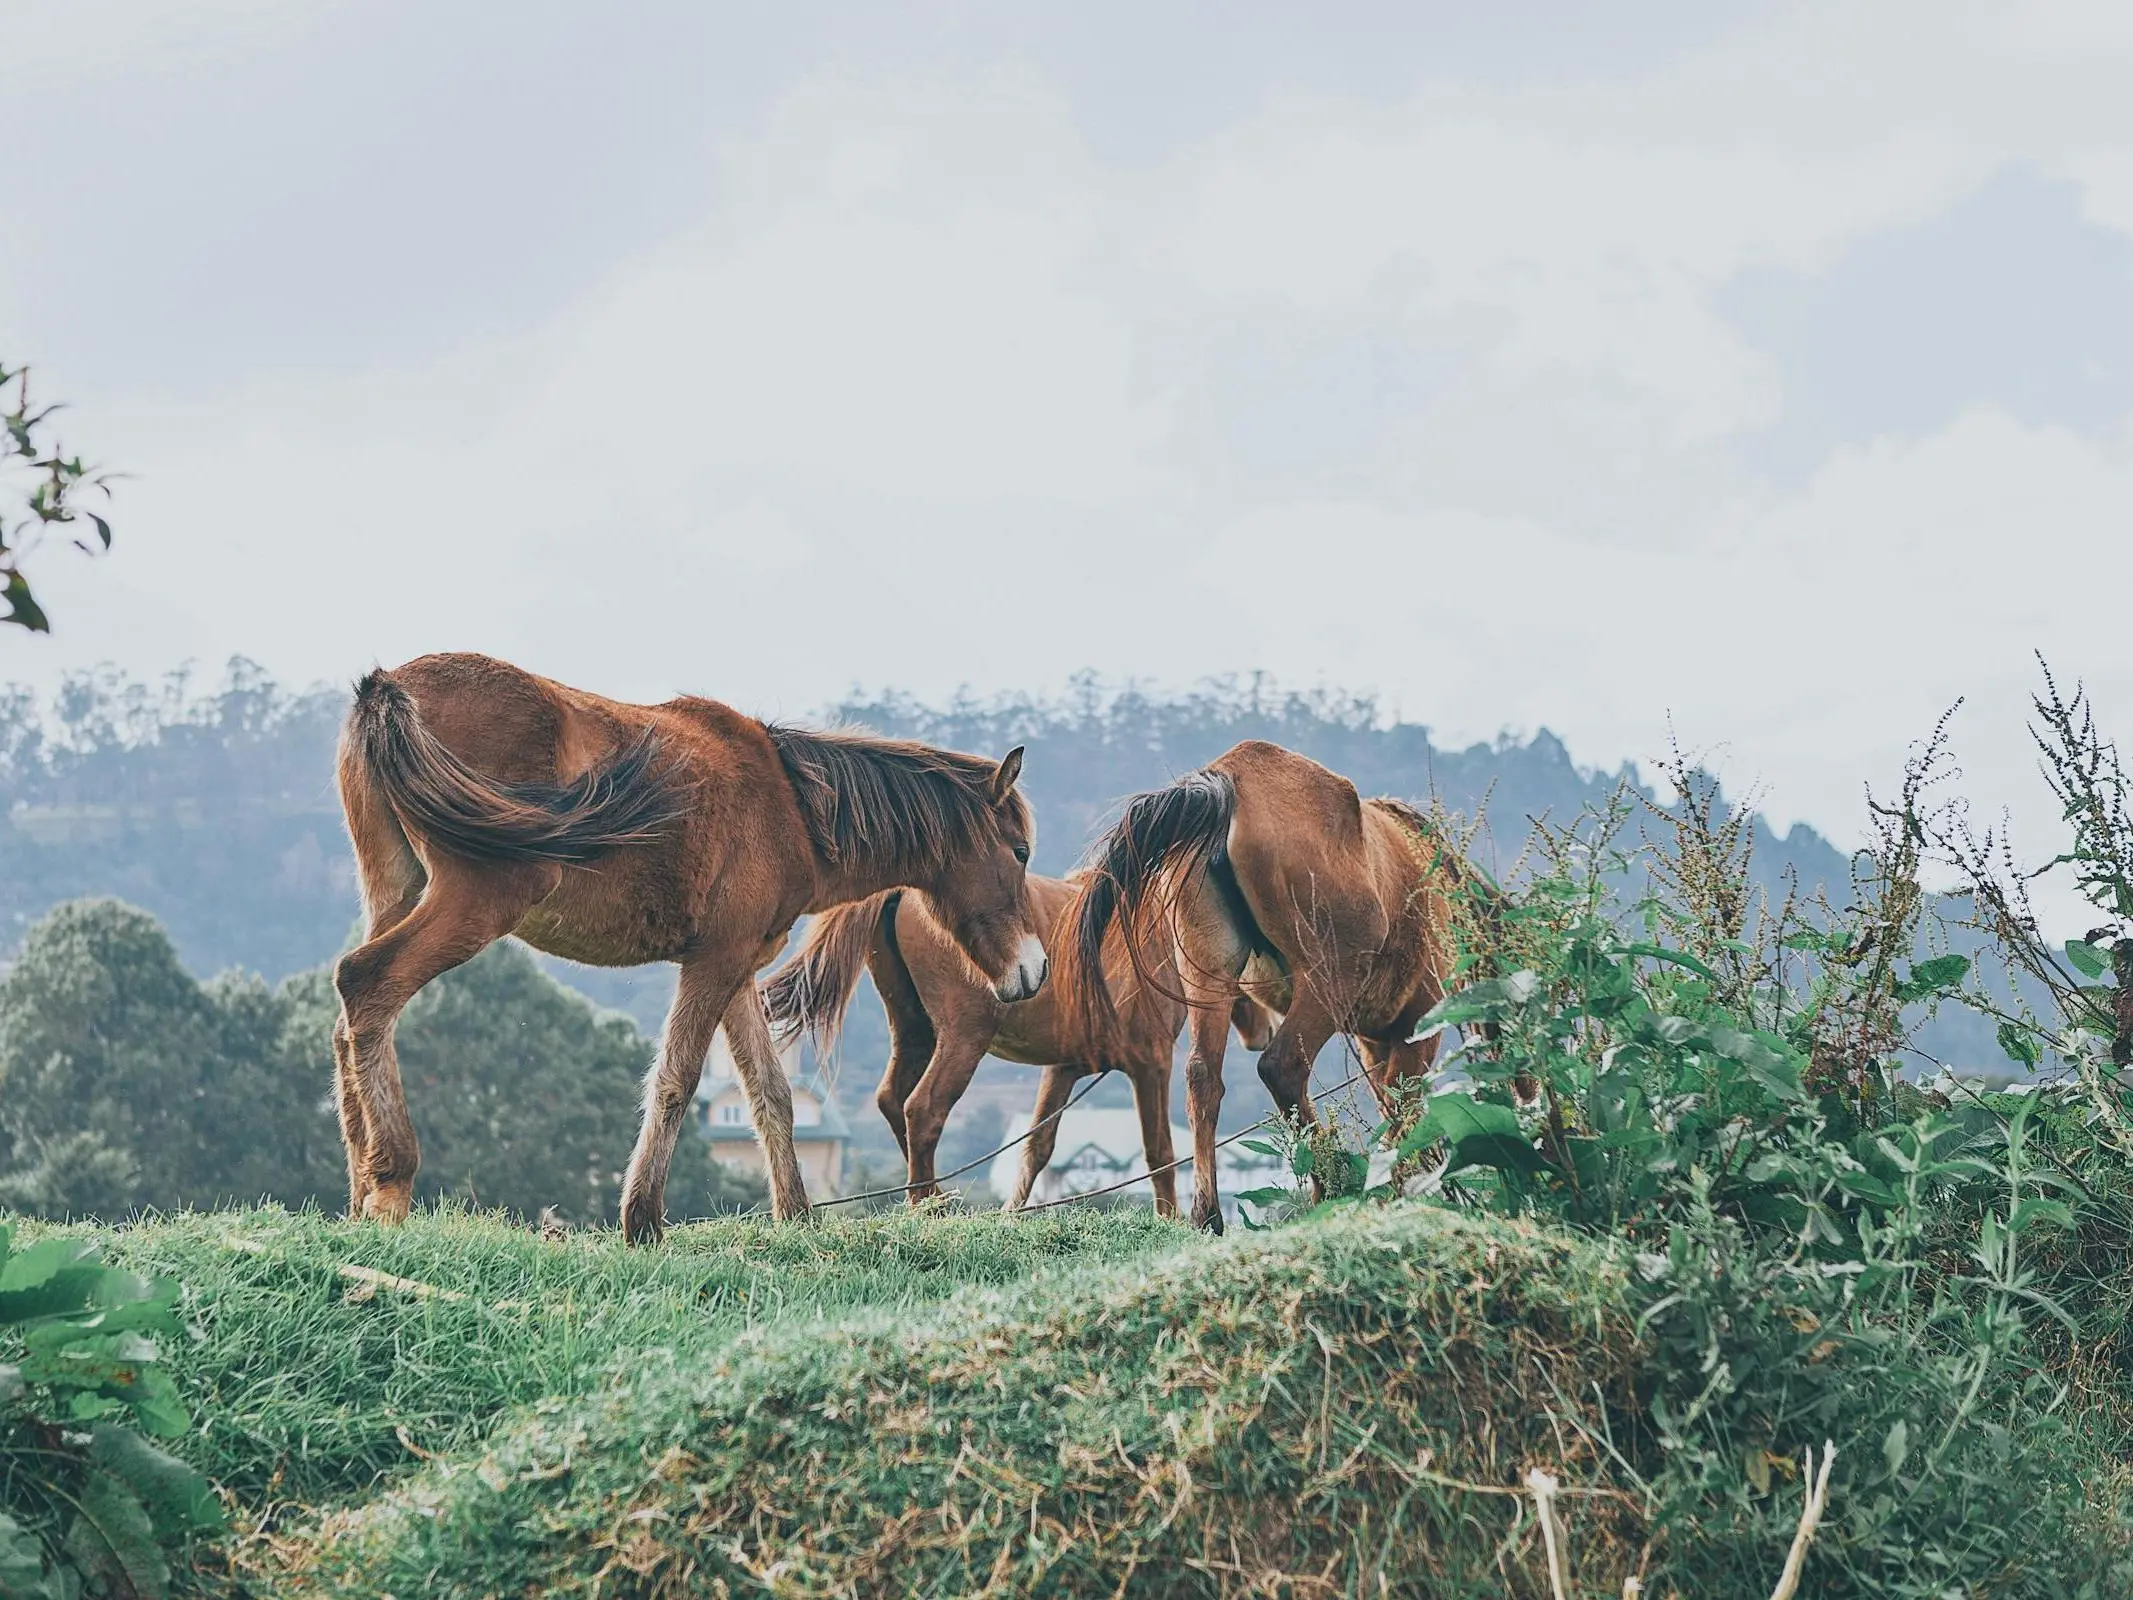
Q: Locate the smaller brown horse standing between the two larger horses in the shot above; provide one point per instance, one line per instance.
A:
(944, 1019)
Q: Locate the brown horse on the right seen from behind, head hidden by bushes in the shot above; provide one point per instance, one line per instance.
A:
(1287, 886)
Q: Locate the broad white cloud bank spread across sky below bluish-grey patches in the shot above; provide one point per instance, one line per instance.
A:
(927, 394)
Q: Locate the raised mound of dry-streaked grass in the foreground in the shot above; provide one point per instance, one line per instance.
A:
(1332, 1407)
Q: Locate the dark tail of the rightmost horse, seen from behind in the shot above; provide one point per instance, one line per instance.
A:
(1164, 835)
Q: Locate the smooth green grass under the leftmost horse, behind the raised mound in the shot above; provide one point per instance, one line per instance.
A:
(310, 1390)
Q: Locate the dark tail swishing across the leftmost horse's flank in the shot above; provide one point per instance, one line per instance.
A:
(440, 799)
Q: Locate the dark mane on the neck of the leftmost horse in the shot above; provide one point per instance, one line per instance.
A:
(912, 805)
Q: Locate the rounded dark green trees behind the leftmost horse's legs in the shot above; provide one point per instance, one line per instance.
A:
(125, 1085)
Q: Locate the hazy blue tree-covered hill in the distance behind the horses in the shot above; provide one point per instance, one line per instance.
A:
(214, 810)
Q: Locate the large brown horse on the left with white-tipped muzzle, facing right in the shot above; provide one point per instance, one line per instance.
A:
(485, 801)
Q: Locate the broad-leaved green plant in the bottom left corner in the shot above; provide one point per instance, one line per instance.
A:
(89, 1505)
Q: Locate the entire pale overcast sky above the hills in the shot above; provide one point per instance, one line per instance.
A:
(1759, 368)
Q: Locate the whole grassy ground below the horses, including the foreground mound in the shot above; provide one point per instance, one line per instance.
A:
(1078, 1403)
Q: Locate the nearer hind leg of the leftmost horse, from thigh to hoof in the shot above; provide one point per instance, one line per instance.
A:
(460, 916)
